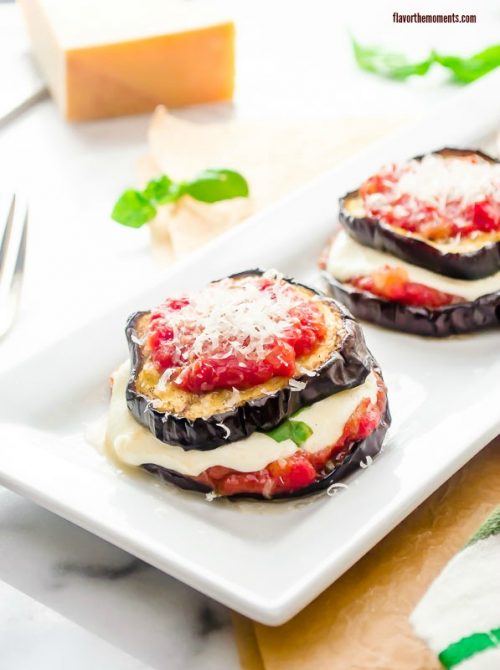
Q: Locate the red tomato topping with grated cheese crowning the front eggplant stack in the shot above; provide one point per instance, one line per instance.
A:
(234, 335)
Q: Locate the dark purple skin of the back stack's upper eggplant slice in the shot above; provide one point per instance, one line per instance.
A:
(371, 232)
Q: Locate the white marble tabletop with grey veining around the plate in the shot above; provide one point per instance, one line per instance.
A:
(68, 599)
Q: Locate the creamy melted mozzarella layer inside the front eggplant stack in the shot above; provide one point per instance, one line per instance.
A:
(130, 443)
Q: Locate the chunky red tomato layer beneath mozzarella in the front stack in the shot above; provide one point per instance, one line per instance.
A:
(301, 468)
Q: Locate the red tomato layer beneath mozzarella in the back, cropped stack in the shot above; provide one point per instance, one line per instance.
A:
(392, 283)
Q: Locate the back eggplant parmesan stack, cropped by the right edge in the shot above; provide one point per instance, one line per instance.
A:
(419, 248)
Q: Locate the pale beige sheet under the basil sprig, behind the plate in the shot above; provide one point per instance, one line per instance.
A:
(275, 155)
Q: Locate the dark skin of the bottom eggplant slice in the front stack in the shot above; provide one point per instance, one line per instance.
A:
(358, 453)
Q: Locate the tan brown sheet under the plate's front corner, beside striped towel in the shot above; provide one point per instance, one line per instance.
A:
(361, 621)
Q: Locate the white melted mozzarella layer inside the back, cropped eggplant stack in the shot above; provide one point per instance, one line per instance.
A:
(347, 259)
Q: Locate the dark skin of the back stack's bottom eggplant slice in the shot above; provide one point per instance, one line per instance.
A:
(457, 319)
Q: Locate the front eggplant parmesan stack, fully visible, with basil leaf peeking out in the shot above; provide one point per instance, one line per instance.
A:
(255, 385)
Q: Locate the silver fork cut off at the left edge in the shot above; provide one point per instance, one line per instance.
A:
(13, 228)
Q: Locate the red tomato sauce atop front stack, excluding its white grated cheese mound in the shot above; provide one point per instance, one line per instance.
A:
(226, 365)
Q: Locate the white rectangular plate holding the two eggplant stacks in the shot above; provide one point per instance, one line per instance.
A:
(264, 560)
